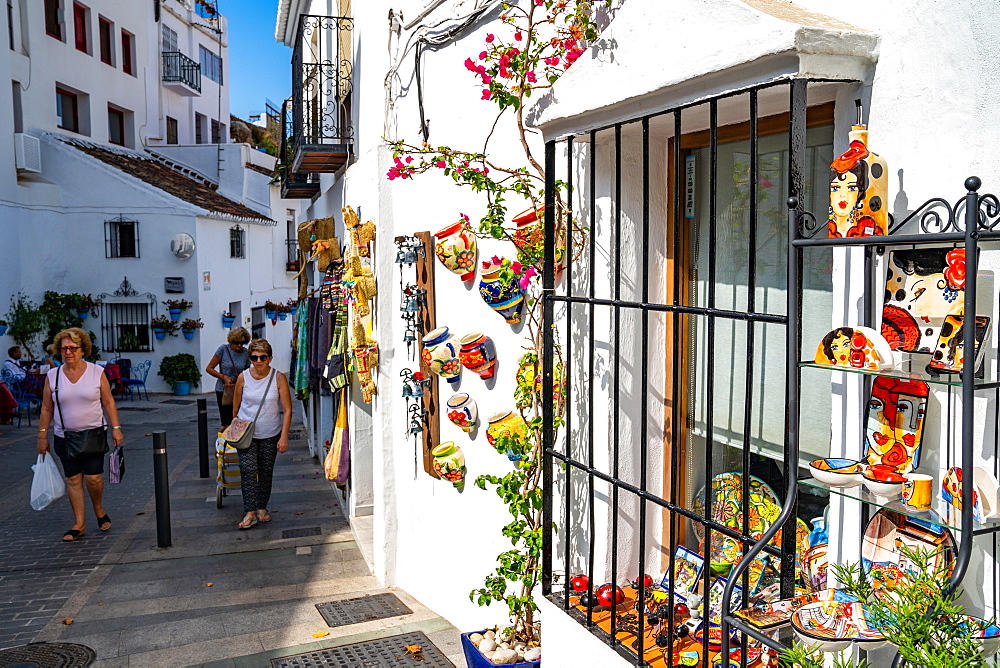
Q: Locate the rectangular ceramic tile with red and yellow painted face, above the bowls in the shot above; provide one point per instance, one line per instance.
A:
(896, 412)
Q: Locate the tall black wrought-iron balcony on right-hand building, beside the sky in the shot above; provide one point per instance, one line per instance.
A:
(322, 66)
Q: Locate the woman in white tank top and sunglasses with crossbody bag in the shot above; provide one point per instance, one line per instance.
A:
(255, 388)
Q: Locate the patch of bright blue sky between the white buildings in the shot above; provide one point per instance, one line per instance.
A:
(259, 67)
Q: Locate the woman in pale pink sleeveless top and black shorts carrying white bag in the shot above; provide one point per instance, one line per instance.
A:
(81, 396)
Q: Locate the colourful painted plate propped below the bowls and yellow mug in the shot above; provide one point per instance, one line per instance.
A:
(887, 531)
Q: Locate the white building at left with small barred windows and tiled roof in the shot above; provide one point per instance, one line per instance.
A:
(117, 142)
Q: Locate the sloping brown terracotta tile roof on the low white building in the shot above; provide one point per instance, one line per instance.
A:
(196, 192)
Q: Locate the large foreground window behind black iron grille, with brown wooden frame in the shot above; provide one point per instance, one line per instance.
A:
(675, 374)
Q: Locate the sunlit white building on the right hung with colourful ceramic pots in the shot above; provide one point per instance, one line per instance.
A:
(720, 74)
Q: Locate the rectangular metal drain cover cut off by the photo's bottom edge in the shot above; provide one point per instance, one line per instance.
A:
(384, 653)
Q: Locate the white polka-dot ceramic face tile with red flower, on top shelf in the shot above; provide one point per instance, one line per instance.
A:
(922, 287)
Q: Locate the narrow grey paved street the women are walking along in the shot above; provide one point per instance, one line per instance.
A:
(217, 596)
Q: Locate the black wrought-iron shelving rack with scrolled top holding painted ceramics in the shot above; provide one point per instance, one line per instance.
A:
(967, 223)
